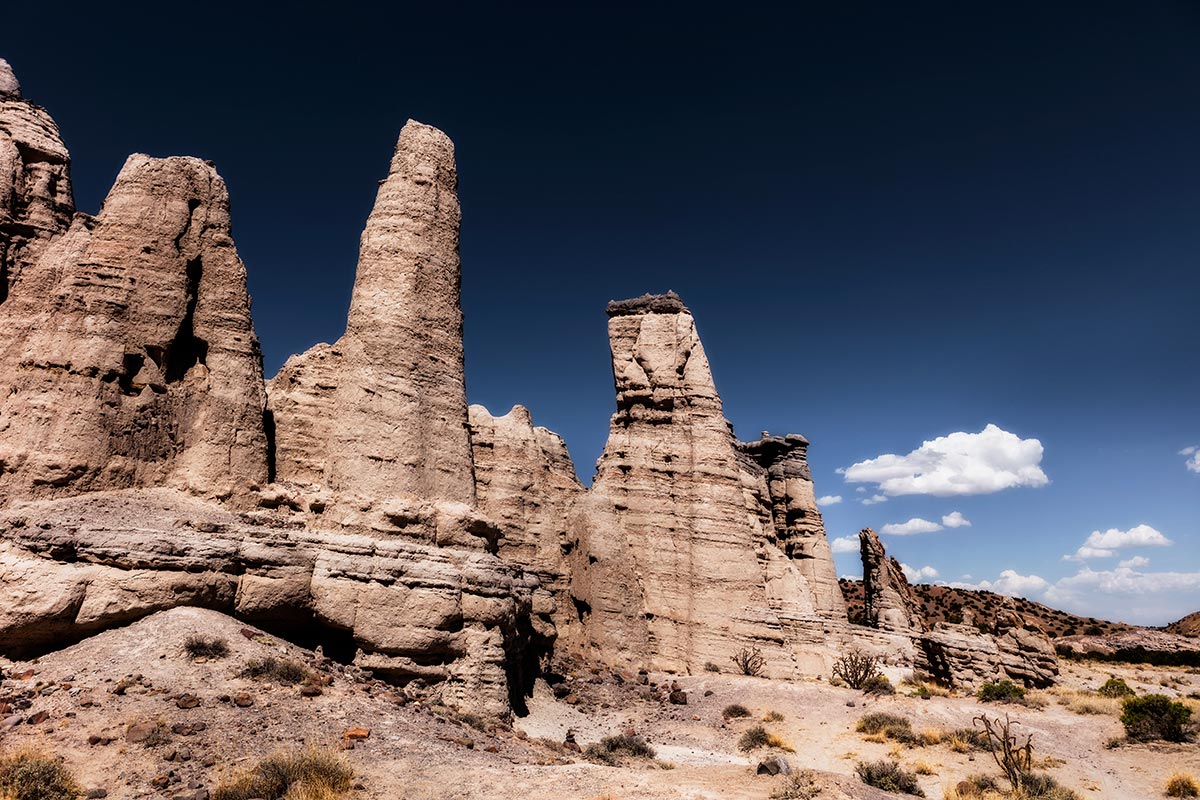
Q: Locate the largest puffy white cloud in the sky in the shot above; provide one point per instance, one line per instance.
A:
(957, 465)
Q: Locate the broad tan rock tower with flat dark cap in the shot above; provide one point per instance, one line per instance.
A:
(680, 558)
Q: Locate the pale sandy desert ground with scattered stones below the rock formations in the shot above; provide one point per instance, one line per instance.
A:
(418, 750)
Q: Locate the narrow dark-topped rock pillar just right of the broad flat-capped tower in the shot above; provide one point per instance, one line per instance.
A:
(796, 521)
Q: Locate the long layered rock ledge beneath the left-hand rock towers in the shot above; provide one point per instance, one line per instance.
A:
(445, 617)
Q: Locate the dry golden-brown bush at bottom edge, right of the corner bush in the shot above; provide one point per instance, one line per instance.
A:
(292, 775)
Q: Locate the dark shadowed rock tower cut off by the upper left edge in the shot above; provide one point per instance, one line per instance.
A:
(35, 183)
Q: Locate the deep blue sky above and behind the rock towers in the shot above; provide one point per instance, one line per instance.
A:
(892, 222)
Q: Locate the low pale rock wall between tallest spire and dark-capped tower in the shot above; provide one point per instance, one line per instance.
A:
(526, 483)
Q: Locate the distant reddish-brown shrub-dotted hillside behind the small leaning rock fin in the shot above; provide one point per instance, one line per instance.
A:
(946, 605)
